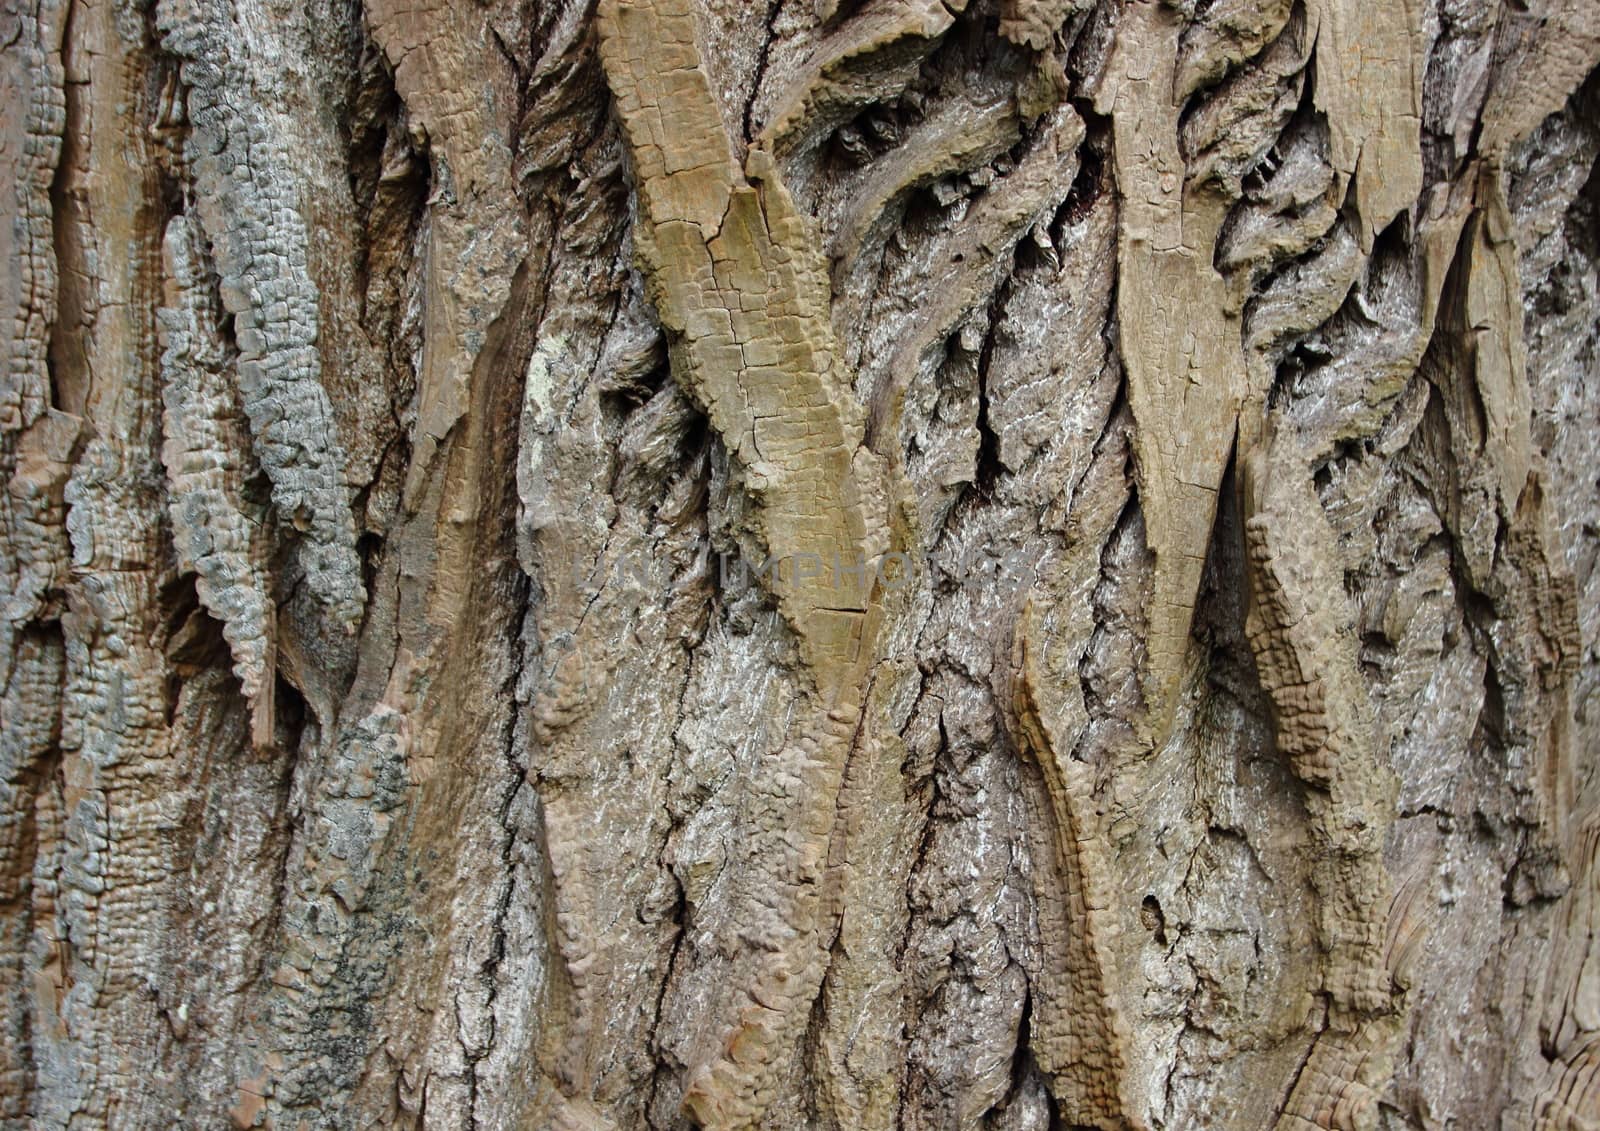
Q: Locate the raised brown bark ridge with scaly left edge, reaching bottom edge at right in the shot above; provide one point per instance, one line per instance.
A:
(1305, 645)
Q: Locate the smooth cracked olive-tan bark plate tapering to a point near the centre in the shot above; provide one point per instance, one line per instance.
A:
(743, 295)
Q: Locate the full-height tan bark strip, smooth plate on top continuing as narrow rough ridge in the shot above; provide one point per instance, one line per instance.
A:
(743, 295)
